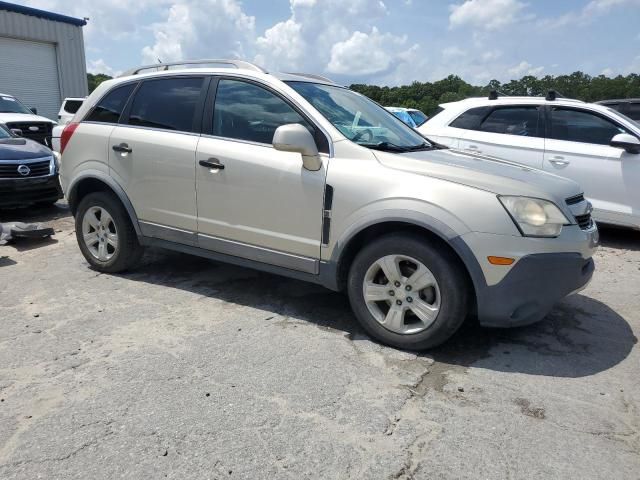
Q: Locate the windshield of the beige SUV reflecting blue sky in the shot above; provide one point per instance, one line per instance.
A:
(359, 119)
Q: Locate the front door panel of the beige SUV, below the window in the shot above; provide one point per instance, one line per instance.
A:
(262, 197)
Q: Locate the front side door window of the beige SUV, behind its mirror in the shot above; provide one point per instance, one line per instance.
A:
(249, 112)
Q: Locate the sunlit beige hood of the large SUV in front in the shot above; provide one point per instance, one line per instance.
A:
(487, 173)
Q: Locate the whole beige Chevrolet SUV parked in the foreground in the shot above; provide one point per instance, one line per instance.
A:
(295, 175)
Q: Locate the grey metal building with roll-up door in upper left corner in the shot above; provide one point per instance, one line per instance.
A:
(41, 57)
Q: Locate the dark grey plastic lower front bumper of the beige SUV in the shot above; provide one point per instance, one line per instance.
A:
(531, 288)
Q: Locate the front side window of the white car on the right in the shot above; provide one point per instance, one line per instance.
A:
(584, 127)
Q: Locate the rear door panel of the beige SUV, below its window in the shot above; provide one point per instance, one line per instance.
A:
(158, 175)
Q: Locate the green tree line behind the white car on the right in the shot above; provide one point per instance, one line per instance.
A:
(427, 96)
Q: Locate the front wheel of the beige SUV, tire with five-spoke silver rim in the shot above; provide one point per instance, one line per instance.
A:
(425, 301)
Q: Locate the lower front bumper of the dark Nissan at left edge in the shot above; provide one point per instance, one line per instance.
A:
(22, 192)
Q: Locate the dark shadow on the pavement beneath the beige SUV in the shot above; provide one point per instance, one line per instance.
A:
(580, 337)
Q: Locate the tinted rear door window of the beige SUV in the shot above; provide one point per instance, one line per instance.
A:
(169, 103)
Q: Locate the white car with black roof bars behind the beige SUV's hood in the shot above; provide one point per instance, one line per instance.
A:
(592, 144)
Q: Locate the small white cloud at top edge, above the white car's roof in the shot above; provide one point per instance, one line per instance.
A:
(486, 14)
